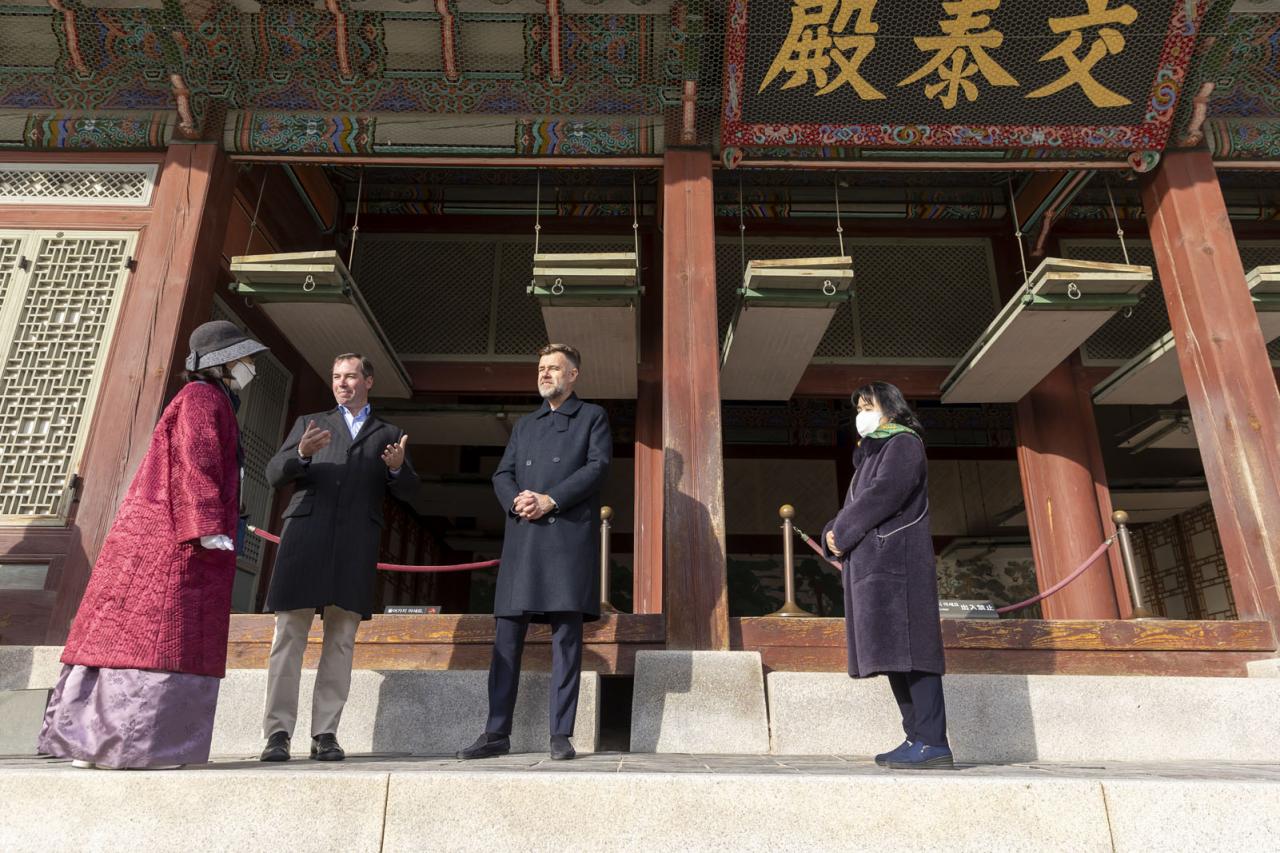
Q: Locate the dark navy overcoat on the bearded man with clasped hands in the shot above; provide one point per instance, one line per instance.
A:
(552, 565)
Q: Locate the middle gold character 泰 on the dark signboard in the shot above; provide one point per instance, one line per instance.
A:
(968, 38)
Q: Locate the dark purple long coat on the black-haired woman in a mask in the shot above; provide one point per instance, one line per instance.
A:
(892, 583)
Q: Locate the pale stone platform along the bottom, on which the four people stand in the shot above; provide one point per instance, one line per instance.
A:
(629, 802)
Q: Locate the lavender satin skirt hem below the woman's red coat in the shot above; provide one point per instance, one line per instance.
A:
(130, 718)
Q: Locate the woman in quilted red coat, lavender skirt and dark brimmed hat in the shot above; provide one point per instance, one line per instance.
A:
(149, 645)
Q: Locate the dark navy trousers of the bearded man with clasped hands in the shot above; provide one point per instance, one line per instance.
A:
(509, 646)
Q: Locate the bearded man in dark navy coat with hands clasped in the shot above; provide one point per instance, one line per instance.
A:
(548, 485)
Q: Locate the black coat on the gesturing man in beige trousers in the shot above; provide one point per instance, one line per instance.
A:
(333, 524)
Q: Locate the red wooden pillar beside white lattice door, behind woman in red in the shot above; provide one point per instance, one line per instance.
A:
(170, 294)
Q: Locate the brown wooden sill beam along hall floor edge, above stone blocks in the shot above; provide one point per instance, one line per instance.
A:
(1016, 646)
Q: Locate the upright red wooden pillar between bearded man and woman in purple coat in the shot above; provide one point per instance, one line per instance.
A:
(693, 463)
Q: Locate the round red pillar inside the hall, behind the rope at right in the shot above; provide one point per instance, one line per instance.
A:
(1064, 491)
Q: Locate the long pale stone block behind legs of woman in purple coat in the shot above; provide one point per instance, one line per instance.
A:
(1037, 718)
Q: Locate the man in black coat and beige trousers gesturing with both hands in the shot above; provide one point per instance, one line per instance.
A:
(341, 464)
